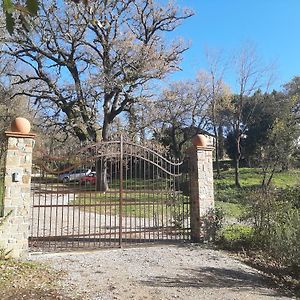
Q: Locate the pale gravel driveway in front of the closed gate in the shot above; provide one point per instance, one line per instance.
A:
(159, 272)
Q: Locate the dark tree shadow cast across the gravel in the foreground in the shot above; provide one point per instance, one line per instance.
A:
(210, 277)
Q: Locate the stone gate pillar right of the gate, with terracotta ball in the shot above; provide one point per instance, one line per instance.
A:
(201, 187)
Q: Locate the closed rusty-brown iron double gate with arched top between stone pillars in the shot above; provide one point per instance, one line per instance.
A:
(109, 194)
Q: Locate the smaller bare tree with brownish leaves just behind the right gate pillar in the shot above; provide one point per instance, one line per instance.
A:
(179, 113)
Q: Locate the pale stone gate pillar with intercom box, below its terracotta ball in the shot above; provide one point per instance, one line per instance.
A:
(14, 231)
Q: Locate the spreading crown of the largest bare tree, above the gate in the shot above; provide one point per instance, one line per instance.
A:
(91, 62)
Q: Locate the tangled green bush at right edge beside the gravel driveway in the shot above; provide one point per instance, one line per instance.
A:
(276, 225)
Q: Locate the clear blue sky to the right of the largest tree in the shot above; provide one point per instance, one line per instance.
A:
(271, 25)
